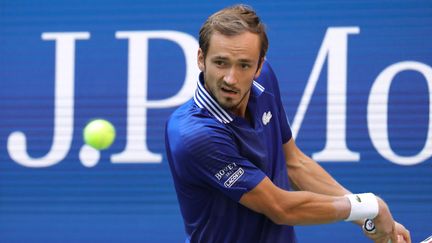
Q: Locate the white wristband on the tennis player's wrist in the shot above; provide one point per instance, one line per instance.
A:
(363, 206)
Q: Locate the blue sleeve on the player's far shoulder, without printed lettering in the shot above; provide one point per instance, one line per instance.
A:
(269, 80)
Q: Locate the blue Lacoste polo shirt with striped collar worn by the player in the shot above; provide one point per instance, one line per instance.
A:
(215, 157)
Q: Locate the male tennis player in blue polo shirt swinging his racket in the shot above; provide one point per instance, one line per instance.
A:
(233, 158)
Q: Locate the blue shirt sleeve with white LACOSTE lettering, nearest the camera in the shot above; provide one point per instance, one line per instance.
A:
(212, 159)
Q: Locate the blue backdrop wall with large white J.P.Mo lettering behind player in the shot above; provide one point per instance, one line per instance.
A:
(355, 79)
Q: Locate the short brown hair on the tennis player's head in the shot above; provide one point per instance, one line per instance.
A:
(231, 21)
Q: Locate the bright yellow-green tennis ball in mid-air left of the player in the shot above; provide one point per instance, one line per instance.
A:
(99, 134)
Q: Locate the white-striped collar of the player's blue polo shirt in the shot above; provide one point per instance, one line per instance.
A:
(204, 100)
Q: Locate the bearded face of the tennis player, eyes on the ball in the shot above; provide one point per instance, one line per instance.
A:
(230, 67)
